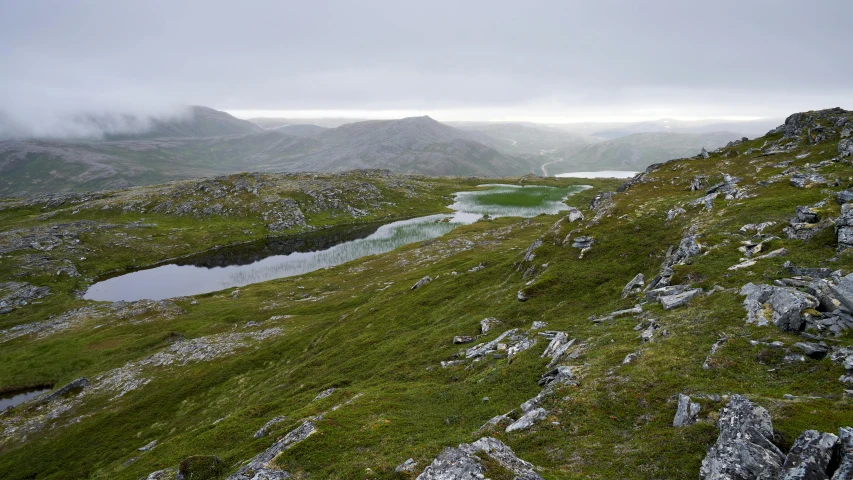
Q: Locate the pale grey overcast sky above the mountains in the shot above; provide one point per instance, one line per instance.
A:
(545, 60)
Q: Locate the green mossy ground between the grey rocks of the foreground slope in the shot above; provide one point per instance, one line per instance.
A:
(358, 327)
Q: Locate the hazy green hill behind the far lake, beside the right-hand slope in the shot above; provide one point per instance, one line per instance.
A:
(635, 152)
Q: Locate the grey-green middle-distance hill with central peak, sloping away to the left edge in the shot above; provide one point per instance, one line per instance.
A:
(414, 145)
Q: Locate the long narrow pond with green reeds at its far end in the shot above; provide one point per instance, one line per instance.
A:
(298, 254)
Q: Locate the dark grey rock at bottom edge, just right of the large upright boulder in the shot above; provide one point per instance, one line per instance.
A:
(810, 457)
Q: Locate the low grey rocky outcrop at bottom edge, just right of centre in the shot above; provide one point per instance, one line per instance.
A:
(464, 462)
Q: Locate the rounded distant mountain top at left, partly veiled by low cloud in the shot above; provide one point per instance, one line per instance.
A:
(197, 122)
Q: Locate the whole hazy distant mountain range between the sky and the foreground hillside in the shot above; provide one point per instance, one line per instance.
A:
(204, 142)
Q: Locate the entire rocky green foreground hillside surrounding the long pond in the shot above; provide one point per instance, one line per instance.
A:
(696, 321)
